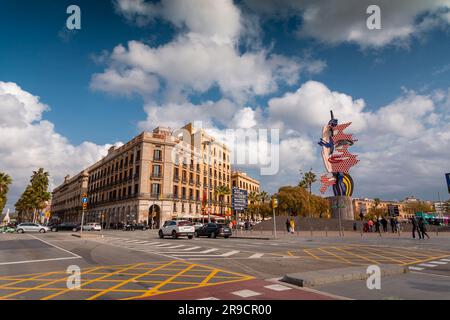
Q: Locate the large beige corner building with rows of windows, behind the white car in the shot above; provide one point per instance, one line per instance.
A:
(158, 176)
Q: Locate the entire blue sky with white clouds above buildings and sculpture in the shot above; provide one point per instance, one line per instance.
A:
(66, 96)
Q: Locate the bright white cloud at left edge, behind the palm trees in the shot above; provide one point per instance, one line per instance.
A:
(27, 142)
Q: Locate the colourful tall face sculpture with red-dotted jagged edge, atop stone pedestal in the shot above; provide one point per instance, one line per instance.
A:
(337, 159)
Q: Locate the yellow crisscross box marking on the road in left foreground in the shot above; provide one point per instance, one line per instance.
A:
(171, 276)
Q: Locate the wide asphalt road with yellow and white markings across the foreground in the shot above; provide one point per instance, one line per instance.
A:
(129, 265)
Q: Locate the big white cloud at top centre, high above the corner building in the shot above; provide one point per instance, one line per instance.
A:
(205, 54)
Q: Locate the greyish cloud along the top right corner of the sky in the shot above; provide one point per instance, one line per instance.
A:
(336, 22)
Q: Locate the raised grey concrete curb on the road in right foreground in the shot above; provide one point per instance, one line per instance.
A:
(323, 277)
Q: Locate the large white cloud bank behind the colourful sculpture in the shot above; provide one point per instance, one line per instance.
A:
(404, 146)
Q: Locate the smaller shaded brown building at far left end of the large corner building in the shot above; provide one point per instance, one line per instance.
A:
(66, 199)
